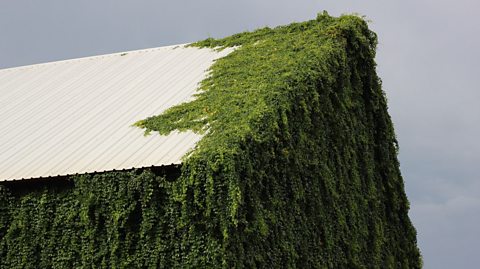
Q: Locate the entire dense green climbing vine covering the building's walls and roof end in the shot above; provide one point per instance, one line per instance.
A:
(297, 168)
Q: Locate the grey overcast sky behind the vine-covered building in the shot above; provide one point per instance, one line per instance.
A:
(428, 59)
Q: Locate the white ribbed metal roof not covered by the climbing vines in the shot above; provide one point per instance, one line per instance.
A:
(76, 116)
